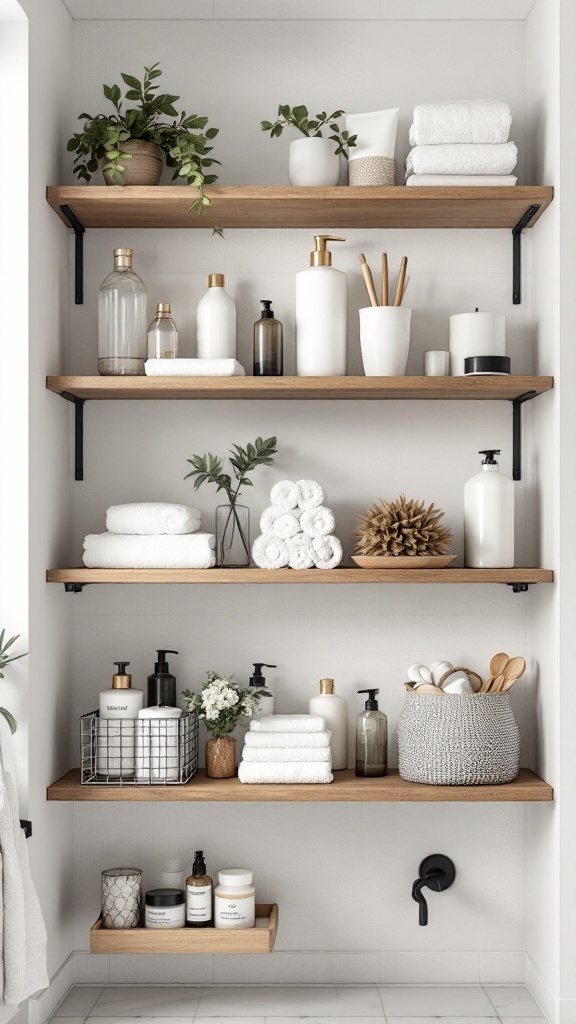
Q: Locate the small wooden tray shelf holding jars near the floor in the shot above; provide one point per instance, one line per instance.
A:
(190, 941)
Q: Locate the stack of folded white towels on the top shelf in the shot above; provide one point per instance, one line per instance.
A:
(462, 144)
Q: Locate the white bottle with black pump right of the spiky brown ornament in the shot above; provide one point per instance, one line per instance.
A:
(489, 518)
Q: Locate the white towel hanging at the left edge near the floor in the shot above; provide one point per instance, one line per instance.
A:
(23, 964)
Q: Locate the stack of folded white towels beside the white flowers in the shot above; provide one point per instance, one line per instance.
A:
(286, 749)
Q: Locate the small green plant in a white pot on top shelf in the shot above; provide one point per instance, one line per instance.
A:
(315, 159)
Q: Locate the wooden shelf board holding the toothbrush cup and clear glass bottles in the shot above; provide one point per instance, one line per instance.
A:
(330, 389)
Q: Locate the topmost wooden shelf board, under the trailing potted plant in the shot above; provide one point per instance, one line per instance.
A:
(271, 206)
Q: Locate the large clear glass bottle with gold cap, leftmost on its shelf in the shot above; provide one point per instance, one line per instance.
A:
(122, 320)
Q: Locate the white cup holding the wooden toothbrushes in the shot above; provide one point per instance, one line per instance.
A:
(385, 339)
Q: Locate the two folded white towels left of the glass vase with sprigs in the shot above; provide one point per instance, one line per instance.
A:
(150, 536)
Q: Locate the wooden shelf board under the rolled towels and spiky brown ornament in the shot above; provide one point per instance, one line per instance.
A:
(84, 576)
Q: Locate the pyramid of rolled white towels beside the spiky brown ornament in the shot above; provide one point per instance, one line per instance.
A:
(298, 530)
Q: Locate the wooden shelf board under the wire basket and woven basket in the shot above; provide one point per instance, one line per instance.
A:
(346, 788)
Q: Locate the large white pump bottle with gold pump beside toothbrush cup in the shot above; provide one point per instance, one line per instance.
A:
(321, 315)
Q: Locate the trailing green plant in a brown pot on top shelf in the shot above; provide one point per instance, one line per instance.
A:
(132, 143)
